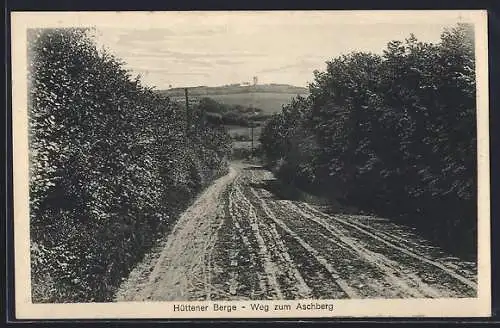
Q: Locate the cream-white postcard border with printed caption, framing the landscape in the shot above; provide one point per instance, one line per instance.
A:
(25, 309)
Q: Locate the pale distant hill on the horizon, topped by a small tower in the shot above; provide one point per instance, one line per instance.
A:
(268, 97)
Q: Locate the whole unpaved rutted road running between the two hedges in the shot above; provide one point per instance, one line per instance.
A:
(240, 241)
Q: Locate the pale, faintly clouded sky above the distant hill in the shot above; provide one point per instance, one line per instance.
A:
(212, 50)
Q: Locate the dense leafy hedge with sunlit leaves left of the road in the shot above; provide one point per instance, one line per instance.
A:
(111, 166)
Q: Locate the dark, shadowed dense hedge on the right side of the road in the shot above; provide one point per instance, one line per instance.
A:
(394, 133)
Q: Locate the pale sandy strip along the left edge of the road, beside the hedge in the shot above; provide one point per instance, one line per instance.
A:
(178, 271)
